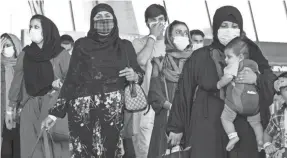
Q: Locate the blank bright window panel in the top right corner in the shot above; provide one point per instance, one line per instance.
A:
(270, 18)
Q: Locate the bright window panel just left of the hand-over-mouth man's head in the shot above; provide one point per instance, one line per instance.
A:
(139, 9)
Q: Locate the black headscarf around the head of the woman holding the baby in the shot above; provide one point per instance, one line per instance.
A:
(225, 13)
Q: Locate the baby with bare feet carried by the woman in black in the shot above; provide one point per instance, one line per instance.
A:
(240, 98)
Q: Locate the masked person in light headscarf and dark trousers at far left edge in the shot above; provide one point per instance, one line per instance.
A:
(10, 48)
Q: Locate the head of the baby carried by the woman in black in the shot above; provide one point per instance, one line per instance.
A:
(235, 51)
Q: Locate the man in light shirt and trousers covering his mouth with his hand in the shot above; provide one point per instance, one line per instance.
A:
(147, 47)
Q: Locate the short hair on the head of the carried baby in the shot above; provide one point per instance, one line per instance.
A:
(239, 46)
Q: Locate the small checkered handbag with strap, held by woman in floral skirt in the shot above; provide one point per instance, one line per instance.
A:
(135, 99)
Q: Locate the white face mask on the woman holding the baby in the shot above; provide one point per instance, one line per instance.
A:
(226, 35)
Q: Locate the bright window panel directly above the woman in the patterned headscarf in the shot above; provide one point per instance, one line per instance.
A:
(193, 13)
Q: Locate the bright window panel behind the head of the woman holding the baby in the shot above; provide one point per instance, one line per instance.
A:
(242, 6)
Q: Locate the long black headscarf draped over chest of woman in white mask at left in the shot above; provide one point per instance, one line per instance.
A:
(38, 70)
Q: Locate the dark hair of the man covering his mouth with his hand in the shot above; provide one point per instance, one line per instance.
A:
(150, 12)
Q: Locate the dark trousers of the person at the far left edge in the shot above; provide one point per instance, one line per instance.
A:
(11, 142)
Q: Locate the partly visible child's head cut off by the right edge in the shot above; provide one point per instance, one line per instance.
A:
(280, 85)
